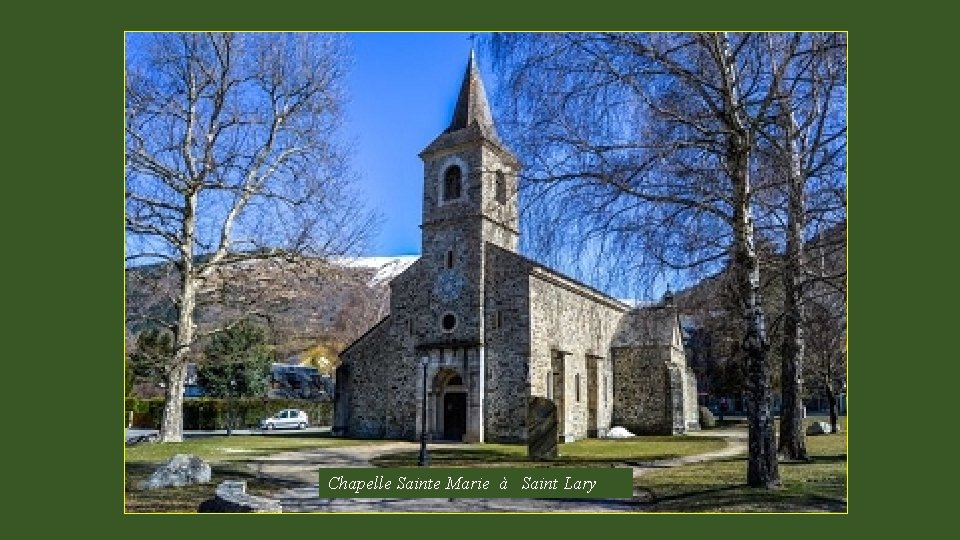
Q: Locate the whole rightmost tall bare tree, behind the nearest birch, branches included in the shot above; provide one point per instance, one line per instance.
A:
(806, 139)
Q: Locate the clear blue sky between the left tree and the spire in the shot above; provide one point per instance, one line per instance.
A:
(402, 88)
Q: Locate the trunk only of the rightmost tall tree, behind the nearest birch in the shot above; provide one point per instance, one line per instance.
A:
(793, 443)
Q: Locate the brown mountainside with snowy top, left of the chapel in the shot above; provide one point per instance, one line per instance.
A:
(310, 306)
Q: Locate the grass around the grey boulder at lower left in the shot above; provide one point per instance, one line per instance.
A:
(227, 457)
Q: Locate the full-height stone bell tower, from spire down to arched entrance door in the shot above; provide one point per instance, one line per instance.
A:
(469, 200)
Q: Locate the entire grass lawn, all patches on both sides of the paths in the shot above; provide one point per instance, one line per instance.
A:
(718, 486)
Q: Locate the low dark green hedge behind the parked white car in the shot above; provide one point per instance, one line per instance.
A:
(210, 413)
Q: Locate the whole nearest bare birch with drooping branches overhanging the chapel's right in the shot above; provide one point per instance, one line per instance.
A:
(647, 146)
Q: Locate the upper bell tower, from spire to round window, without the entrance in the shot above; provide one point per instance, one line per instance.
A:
(469, 199)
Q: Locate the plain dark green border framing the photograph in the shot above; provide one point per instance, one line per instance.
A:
(64, 234)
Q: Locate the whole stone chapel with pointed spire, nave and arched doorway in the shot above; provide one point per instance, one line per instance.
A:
(492, 328)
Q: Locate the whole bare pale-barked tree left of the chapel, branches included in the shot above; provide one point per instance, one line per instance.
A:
(232, 155)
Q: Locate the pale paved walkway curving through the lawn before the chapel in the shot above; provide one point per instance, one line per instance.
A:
(301, 467)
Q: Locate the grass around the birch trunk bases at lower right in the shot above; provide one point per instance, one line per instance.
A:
(720, 486)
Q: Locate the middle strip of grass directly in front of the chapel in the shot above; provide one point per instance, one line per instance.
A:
(580, 453)
